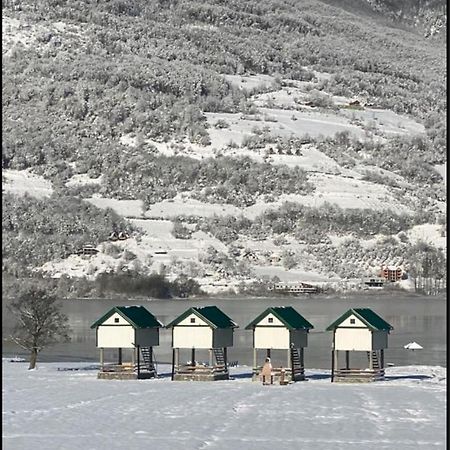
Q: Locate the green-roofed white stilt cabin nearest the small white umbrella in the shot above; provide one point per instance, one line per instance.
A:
(362, 331)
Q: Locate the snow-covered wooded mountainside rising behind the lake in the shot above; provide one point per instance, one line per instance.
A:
(334, 101)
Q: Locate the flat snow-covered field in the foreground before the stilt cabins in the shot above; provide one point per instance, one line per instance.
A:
(70, 409)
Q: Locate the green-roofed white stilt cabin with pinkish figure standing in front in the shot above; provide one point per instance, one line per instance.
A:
(280, 328)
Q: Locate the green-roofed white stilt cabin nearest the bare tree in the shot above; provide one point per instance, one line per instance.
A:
(131, 331)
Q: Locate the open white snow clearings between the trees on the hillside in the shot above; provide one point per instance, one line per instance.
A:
(333, 184)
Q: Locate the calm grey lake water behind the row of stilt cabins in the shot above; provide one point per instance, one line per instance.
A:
(414, 318)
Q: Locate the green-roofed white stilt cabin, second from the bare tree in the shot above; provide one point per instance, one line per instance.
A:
(206, 328)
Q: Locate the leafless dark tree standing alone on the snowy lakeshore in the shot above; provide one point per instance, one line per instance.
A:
(39, 321)
